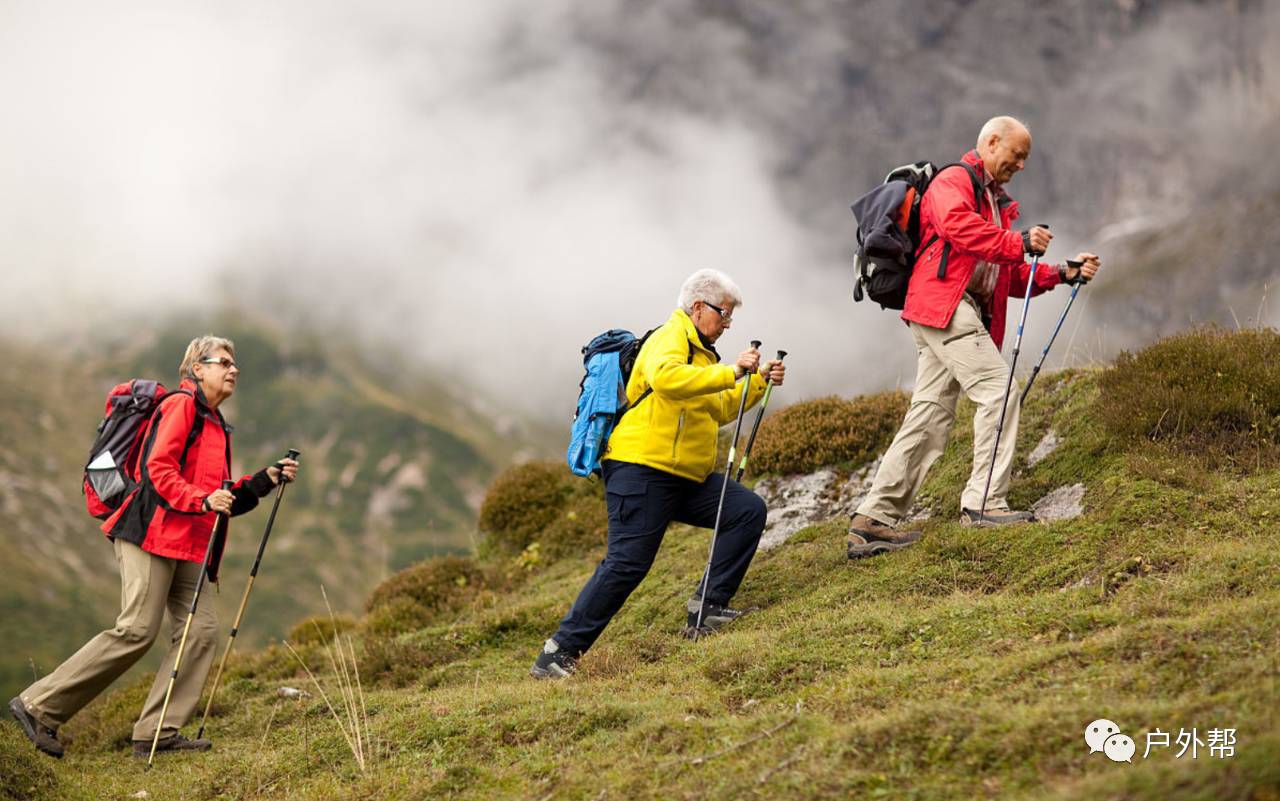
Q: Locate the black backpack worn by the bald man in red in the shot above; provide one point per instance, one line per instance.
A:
(889, 232)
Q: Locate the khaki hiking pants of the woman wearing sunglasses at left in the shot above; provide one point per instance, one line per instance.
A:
(150, 585)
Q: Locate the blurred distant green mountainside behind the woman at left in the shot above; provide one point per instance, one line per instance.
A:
(395, 469)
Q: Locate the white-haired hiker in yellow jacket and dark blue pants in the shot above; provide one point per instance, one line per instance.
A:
(659, 469)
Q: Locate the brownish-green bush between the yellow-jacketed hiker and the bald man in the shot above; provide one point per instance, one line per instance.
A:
(829, 433)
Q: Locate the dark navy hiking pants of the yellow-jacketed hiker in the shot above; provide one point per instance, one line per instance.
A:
(642, 502)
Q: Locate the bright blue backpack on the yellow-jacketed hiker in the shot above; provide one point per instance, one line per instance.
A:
(602, 400)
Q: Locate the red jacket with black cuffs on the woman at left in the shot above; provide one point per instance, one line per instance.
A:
(164, 514)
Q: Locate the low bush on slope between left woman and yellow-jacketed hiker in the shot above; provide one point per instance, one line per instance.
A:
(419, 596)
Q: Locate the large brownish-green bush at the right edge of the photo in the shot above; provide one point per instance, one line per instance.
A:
(1210, 393)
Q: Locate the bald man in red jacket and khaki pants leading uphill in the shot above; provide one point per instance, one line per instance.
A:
(970, 263)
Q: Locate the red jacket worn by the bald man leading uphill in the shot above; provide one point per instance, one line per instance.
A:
(963, 235)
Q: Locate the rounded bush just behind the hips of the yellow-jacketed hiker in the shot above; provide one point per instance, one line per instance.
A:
(522, 502)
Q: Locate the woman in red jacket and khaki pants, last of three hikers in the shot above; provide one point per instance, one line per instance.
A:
(161, 534)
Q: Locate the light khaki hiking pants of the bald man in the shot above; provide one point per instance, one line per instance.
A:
(961, 358)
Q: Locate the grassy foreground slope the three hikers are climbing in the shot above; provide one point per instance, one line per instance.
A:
(966, 667)
